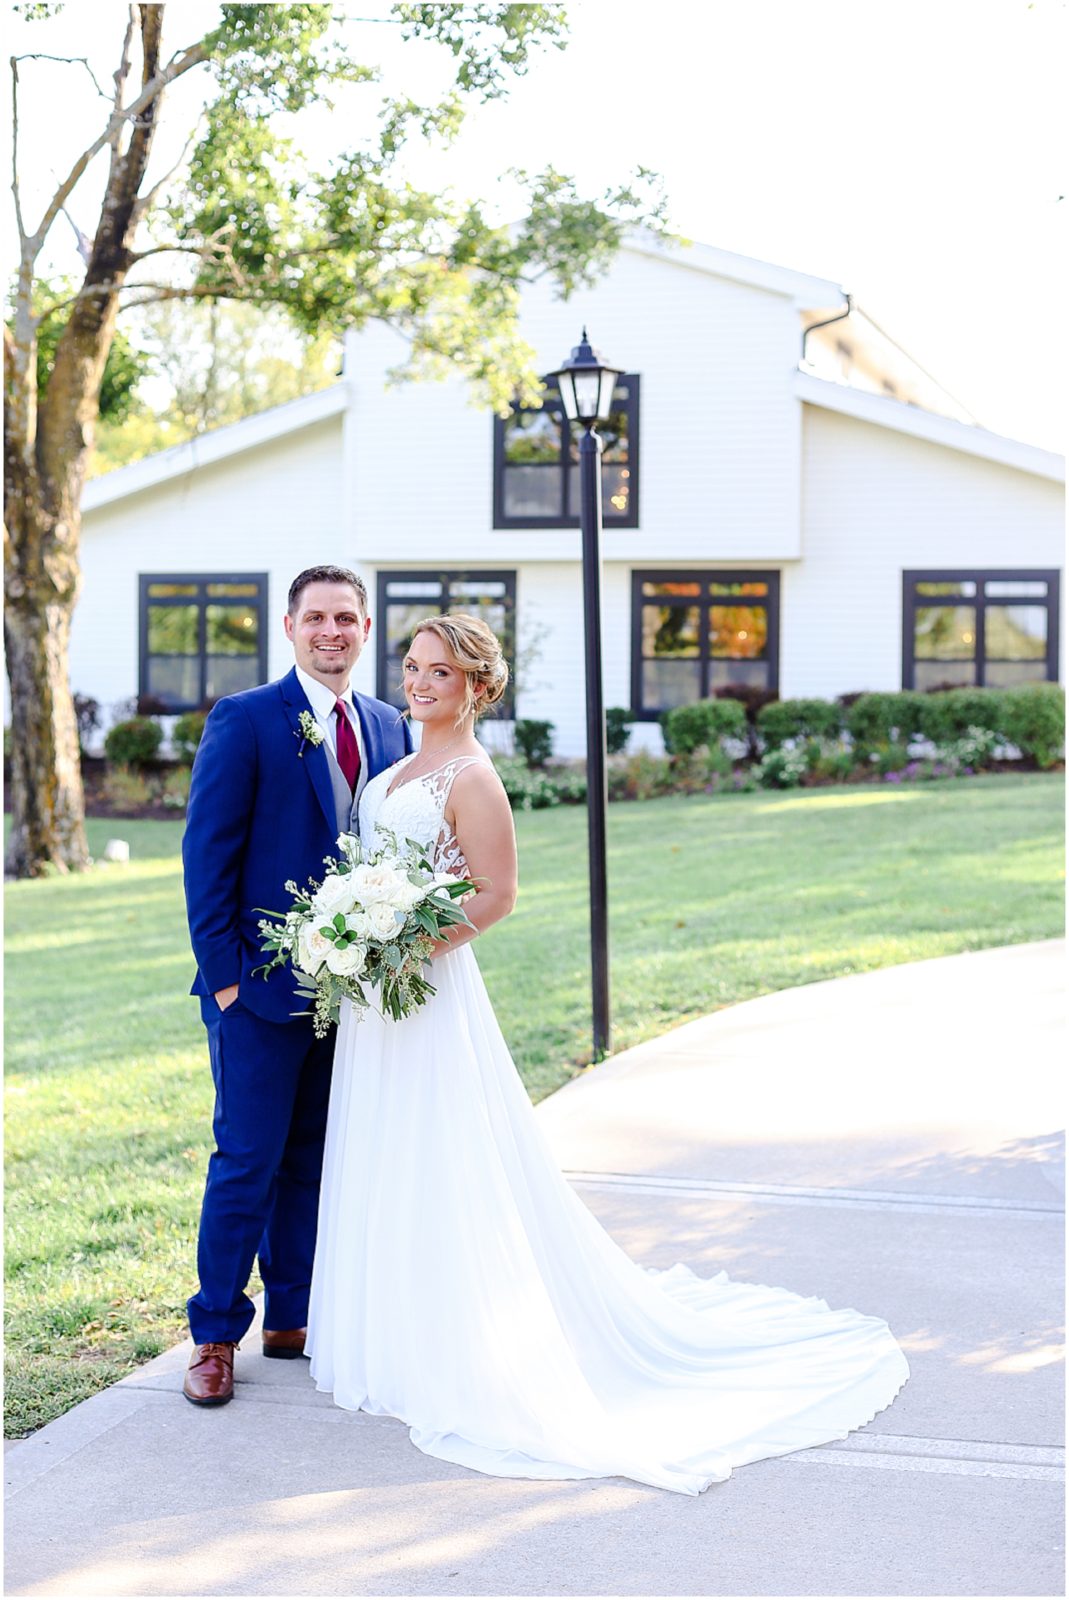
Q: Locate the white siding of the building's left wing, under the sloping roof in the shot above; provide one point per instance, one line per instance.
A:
(265, 511)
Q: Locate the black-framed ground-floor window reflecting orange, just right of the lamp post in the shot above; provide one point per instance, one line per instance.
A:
(692, 633)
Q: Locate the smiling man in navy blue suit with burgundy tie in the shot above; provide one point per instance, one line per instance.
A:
(278, 777)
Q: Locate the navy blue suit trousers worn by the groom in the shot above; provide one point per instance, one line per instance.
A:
(262, 1198)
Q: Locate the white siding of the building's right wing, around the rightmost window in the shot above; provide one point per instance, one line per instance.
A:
(875, 505)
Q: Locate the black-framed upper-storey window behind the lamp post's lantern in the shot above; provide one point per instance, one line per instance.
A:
(537, 465)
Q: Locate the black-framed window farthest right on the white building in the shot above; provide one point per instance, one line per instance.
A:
(980, 628)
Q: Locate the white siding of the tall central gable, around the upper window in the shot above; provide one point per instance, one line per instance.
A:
(719, 430)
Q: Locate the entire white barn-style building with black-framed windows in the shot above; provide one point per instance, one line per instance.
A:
(815, 526)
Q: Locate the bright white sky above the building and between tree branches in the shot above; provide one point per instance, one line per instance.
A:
(908, 150)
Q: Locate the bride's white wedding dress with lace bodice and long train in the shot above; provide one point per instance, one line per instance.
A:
(462, 1286)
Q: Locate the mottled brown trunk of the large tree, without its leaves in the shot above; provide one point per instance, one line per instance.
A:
(47, 449)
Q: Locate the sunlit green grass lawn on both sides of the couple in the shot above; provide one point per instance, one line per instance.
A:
(713, 900)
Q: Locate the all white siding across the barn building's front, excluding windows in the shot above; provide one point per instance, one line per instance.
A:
(743, 463)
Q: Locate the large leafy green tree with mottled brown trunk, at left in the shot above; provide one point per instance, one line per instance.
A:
(249, 222)
